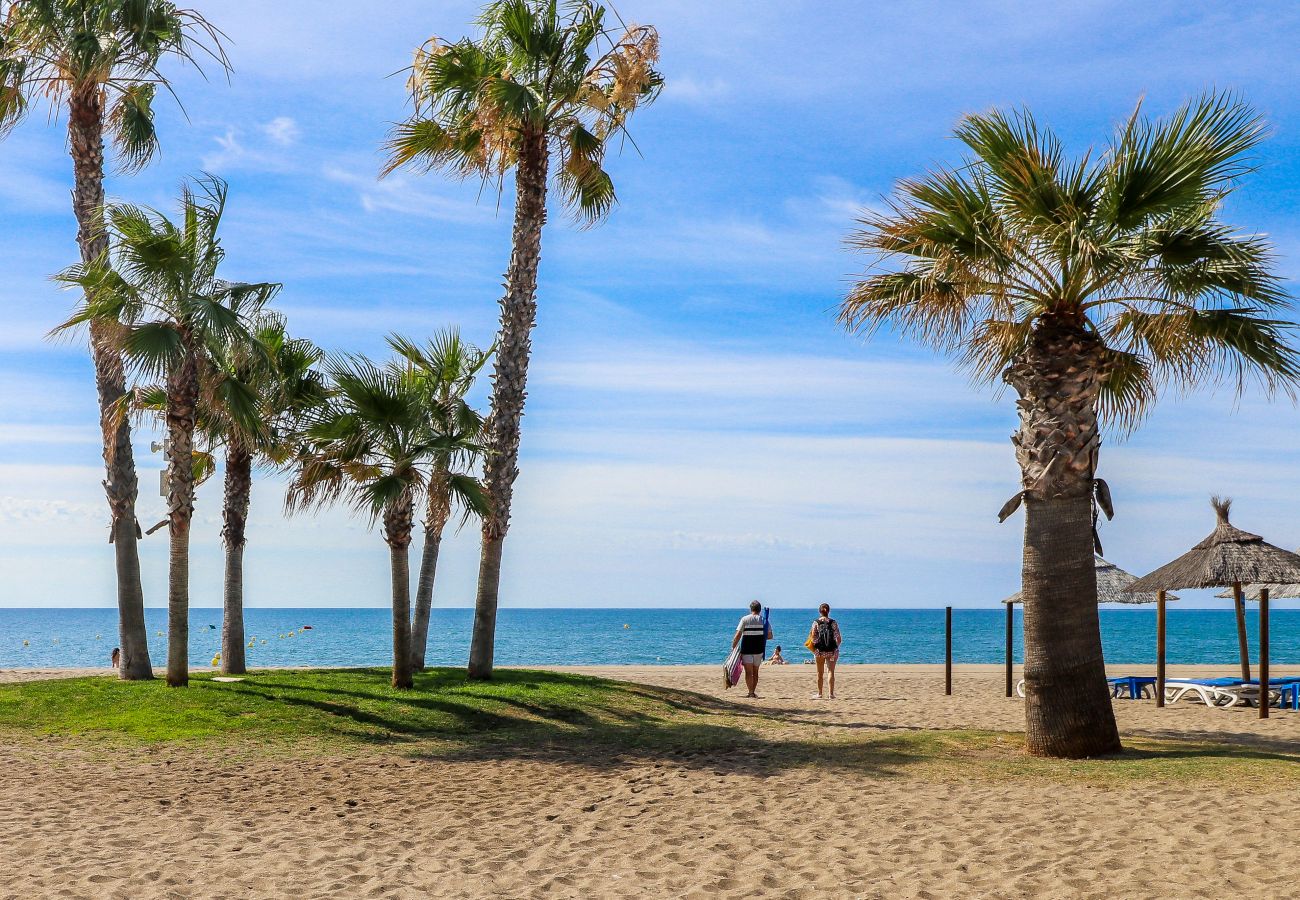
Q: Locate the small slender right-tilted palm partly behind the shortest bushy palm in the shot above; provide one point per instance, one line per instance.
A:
(447, 369)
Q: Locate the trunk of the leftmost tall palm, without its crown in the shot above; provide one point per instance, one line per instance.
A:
(86, 145)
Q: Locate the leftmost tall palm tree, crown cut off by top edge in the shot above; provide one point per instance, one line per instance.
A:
(101, 59)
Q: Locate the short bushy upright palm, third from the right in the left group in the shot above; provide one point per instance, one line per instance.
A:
(370, 444)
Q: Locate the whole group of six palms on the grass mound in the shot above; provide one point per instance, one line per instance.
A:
(540, 94)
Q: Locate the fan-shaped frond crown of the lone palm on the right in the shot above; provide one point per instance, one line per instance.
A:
(1126, 245)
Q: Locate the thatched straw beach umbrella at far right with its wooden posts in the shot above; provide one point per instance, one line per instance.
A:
(1228, 559)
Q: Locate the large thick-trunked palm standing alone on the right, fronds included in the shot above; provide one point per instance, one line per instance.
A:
(1087, 285)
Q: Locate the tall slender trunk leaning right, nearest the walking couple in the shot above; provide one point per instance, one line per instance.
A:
(510, 377)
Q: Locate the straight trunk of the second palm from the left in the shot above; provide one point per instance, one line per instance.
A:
(181, 409)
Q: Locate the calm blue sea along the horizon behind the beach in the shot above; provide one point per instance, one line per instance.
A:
(362, 637)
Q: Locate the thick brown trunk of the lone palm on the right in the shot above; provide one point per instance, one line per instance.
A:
(1068, 707)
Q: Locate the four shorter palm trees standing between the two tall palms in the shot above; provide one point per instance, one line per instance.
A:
(218, 366)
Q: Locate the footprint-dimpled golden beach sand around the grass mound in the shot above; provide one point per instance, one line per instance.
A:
(175, 823)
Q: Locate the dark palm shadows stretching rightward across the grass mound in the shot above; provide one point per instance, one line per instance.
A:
(450, 719)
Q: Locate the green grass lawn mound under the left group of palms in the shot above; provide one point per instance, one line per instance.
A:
(336, 707)
